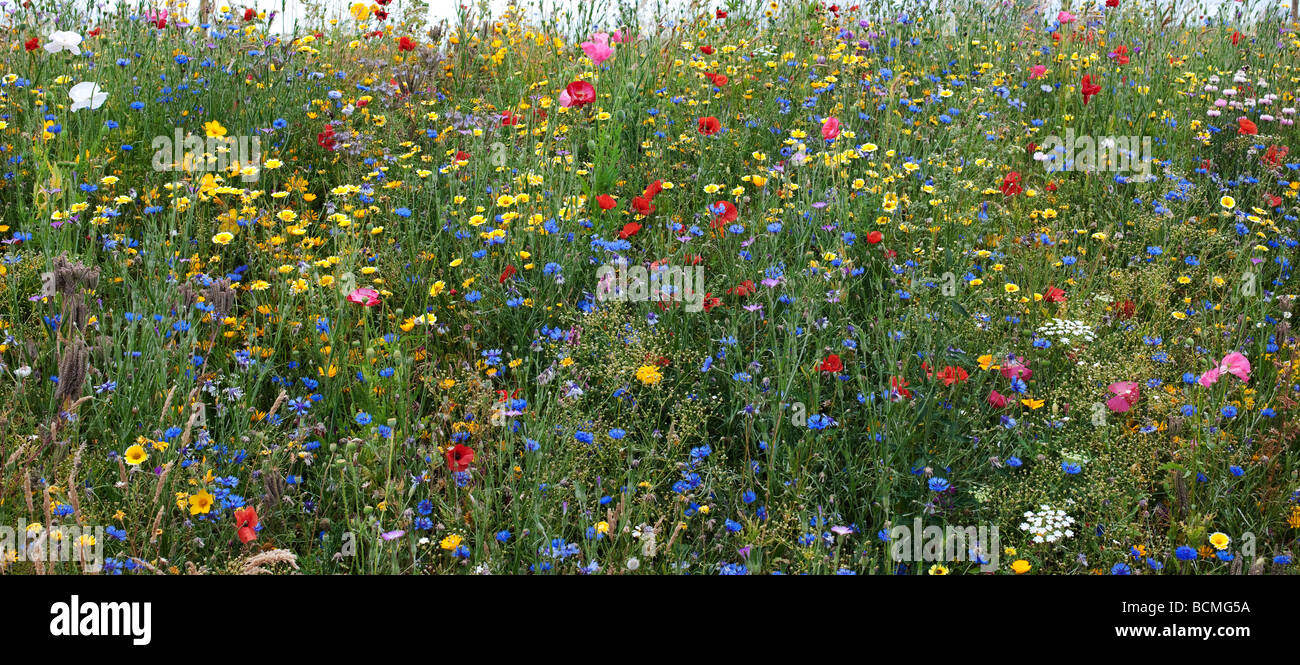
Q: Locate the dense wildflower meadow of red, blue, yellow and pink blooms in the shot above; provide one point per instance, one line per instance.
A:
(735, 288)
